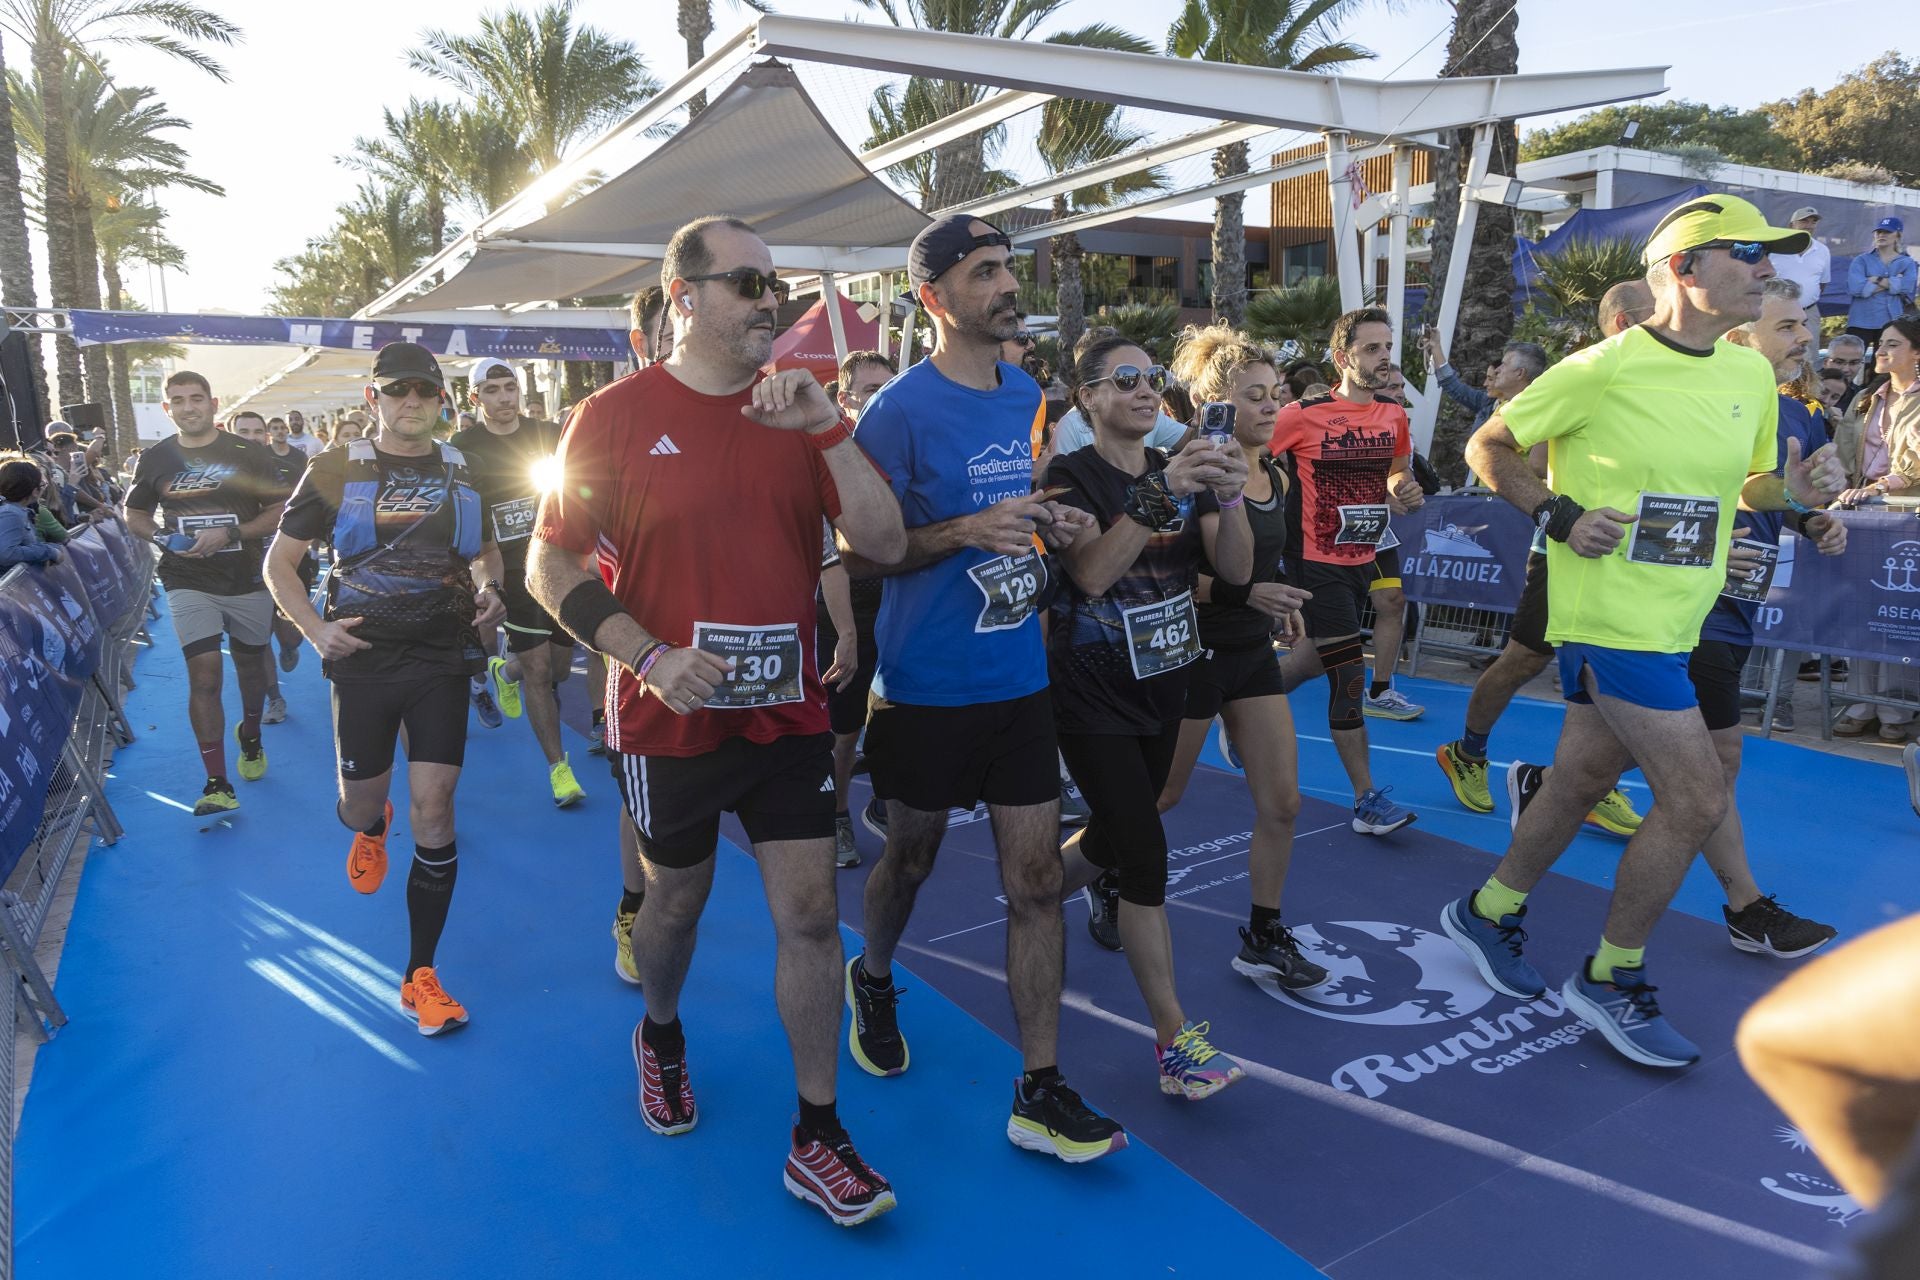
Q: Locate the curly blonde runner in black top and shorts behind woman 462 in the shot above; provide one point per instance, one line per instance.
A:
(1239, 676)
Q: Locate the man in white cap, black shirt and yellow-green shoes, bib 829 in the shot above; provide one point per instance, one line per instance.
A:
(512, 460)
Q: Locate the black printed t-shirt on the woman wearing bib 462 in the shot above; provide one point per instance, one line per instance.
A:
(1090, 655)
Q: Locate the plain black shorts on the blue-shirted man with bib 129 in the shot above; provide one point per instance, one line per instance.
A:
(936, 759)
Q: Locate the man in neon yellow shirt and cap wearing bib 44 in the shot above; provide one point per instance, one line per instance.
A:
(1652, 440)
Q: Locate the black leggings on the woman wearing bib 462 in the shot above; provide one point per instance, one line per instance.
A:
(1122, 778)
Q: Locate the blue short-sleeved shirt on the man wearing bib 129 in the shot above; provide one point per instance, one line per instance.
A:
(953, 452)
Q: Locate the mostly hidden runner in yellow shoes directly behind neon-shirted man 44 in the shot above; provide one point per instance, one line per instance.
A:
(1527, 650)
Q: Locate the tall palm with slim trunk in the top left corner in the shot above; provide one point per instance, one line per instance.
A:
(62, 30)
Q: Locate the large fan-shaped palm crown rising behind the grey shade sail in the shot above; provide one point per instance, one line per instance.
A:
(552, 82)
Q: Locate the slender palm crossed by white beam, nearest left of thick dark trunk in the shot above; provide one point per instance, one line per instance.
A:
(1293, 36)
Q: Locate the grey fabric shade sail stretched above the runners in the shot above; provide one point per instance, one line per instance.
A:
(759, 153)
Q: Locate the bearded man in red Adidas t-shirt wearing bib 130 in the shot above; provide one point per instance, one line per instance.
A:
(704, 485)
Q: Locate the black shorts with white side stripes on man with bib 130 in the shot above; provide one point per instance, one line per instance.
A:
(780, 792)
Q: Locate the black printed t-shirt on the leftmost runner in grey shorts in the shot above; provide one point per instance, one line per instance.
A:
(228, 481)
